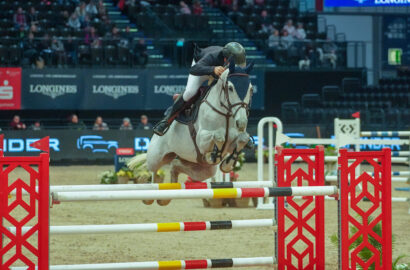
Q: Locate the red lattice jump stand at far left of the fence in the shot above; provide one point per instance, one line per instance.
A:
(17, 247)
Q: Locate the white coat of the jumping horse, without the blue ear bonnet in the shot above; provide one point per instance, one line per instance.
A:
(211, 128)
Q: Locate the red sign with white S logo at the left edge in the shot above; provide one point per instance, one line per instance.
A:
(10, 88)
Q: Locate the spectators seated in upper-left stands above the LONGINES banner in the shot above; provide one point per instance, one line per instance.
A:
(62, 38)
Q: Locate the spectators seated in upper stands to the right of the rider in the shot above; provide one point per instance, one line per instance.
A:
(289, 38)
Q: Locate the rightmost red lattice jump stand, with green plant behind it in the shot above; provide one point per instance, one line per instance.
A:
(364, 216)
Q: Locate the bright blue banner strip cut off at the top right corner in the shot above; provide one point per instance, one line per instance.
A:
(366, 3)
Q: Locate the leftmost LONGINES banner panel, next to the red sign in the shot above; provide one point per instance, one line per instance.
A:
(52, 89)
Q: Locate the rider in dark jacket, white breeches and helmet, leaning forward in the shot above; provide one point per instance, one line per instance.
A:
(207, 62)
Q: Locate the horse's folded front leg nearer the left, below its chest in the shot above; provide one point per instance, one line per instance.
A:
(210, 144)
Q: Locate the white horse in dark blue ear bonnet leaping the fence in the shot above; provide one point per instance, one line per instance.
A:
(216, 137)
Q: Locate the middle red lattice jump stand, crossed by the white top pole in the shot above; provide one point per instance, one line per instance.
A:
(296, 221)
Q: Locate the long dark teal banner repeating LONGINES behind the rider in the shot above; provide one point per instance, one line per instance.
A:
(111, 89)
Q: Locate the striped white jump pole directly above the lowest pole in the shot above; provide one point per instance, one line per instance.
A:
(155, 227)
